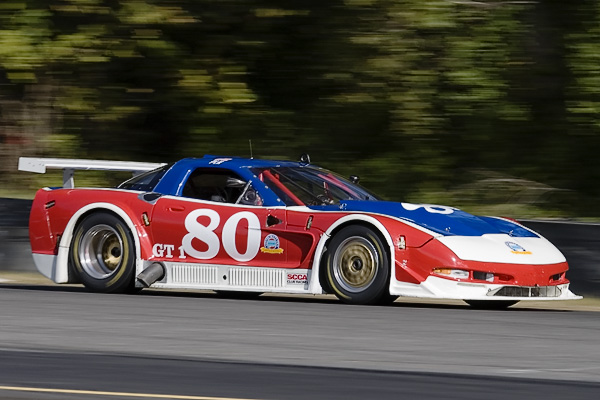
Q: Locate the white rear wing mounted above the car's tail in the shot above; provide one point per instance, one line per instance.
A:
(69, 166)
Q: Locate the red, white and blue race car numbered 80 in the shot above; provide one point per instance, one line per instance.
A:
(239, 225)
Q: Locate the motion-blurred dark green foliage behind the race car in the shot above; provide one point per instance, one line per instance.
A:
(487, 105)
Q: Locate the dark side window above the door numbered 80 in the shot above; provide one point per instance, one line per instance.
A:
(222, 186)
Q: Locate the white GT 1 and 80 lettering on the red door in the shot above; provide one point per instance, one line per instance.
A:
(207, 235)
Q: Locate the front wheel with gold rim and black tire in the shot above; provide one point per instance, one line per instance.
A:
(357, 266)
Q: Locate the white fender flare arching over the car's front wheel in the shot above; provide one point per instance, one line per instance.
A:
(314, 286)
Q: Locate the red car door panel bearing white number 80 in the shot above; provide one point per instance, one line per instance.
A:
(194, 231)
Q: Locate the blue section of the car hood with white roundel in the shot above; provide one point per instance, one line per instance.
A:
(447, 221)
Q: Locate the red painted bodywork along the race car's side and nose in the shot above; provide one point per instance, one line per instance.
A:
(192, 231)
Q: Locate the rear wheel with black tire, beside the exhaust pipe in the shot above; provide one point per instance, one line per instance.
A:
(102, 253)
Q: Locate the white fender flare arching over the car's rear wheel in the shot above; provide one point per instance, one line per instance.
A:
(62, 261)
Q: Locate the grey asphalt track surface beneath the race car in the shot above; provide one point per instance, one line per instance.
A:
(64, 343)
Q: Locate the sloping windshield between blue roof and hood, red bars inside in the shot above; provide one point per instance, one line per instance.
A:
(309, 186)
